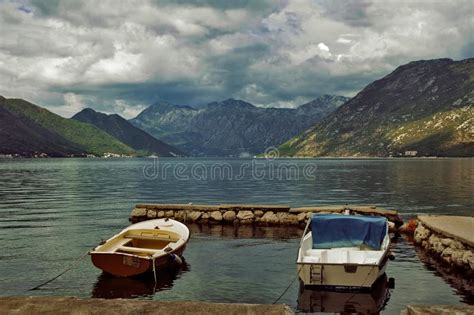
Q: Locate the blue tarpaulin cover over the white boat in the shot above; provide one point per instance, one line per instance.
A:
(335, 230)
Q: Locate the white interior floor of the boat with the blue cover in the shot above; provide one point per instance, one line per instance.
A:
(346, 255)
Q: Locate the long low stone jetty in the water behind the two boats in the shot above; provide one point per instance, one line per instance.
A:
(245, 214)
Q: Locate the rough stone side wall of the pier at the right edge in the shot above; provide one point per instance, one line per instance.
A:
(449, 248)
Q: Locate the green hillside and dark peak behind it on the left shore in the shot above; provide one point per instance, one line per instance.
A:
(29, 130)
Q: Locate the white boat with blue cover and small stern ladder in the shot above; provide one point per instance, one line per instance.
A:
(343, 251)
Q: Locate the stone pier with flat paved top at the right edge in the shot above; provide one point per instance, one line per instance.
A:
(450, 238)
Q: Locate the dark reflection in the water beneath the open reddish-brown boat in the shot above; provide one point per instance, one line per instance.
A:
(111, 287)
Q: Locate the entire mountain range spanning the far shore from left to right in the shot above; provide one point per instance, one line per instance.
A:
(423, 108)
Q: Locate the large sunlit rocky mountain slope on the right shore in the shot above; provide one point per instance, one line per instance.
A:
(425, 107)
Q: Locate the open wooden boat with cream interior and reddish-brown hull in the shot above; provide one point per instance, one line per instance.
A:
(142, 247)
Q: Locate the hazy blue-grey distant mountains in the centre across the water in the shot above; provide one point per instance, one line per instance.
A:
(231, 127)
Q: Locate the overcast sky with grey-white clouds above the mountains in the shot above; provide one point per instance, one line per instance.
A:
(121, 56)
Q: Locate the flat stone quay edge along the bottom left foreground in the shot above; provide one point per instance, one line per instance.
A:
(73, 305)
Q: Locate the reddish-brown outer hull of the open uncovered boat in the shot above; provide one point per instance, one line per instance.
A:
(126, 265)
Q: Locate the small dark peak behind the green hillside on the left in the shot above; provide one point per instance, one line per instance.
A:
(127, 133)
